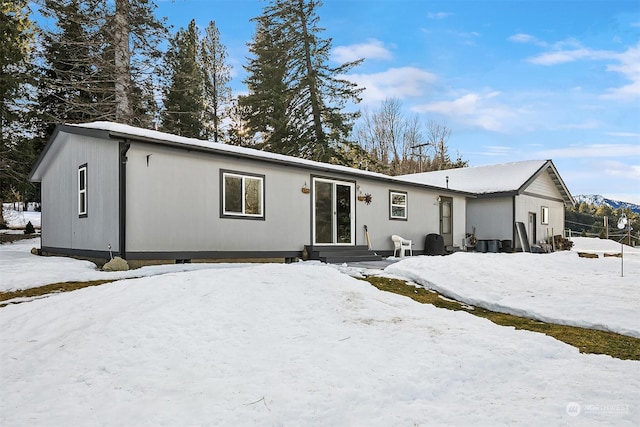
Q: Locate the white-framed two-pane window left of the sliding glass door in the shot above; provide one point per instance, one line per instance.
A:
(242, 195)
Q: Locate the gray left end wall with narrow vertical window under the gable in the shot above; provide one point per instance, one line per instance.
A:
(61, 225)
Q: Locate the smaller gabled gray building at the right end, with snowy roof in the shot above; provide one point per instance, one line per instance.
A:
(528, 192)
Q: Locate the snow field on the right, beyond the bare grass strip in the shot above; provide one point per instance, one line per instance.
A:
(559, 287)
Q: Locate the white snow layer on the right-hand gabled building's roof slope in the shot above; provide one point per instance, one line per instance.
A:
(504, 177)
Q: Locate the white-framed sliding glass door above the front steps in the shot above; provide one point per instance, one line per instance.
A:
(333, 212)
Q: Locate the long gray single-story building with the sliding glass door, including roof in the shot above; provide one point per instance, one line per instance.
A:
(147, 196)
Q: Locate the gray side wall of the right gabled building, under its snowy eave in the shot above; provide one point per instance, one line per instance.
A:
(492, 218)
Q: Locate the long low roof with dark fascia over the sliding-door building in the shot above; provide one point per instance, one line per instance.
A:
(110, 130)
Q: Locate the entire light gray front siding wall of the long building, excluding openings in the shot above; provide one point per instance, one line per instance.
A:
(173, 205)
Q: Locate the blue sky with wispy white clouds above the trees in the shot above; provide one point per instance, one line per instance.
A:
(514, 80)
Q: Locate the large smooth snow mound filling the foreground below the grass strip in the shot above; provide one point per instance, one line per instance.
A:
(297, 344)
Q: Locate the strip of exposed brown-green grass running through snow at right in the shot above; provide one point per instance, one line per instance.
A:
(586, 340)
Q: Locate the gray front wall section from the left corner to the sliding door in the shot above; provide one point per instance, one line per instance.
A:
(173, 204)
